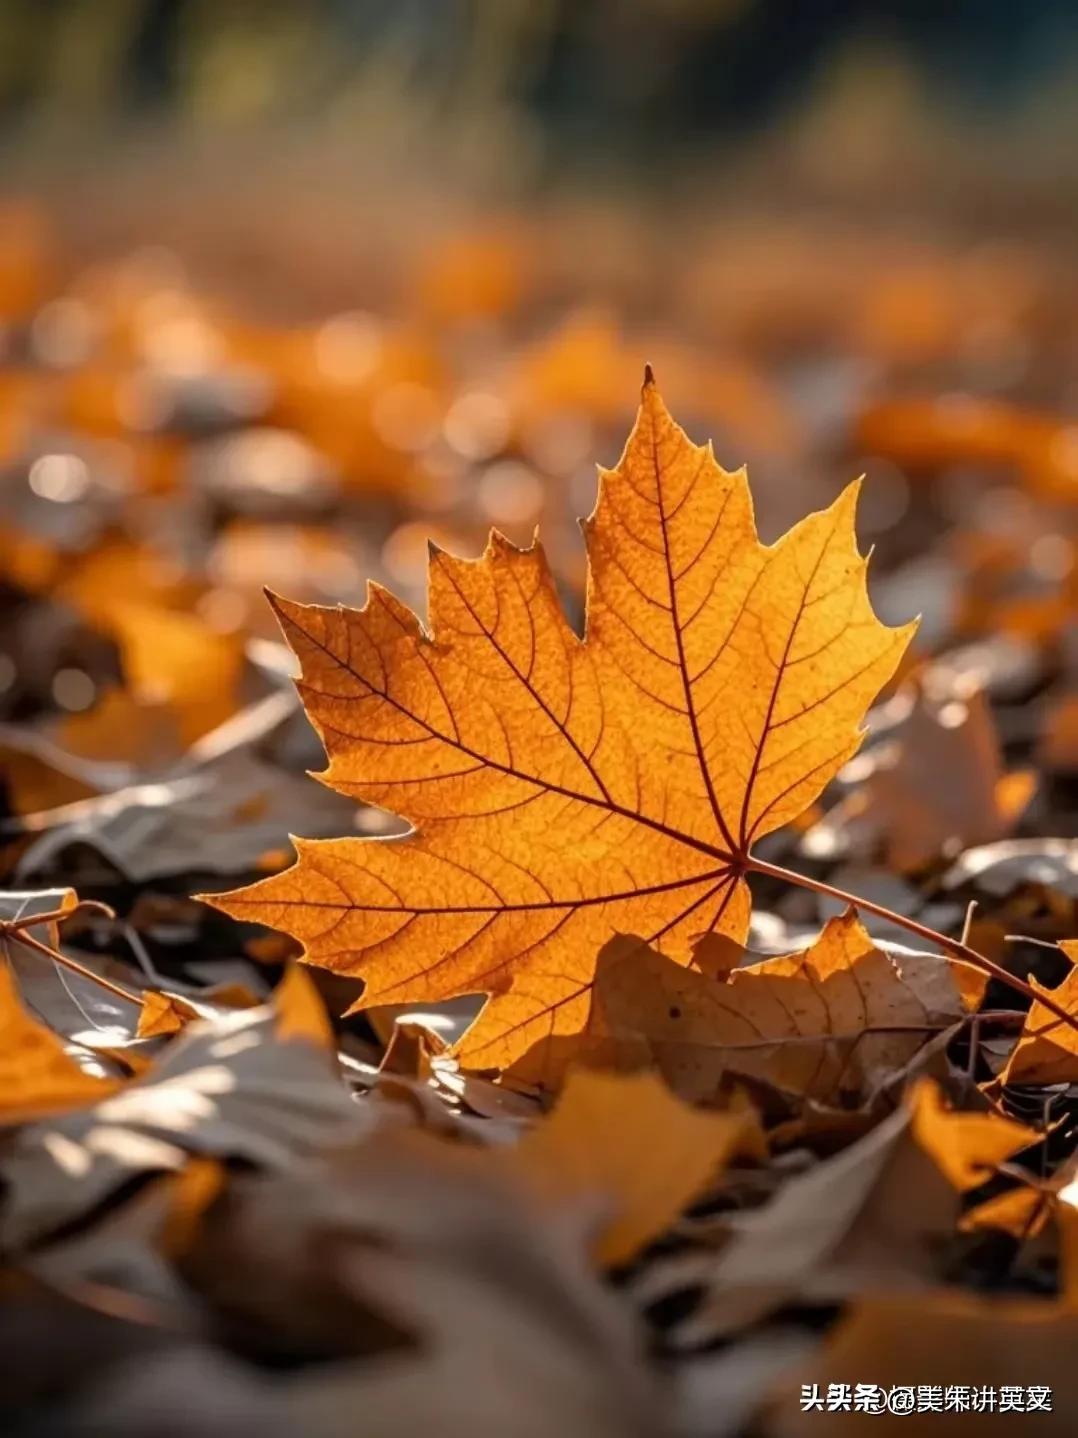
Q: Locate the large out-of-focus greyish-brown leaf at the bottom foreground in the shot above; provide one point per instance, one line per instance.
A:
(438, 1301)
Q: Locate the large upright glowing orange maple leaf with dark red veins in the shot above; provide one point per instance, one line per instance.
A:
(564, 790)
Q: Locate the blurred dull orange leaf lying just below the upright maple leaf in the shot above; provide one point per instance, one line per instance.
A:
(629, 1140)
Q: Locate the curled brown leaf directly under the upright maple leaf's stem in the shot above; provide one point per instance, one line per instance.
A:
(830, 1023)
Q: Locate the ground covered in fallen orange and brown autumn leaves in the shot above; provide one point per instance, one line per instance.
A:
(688, 1040)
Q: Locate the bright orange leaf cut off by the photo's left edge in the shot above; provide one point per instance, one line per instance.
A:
(38, 1076)
